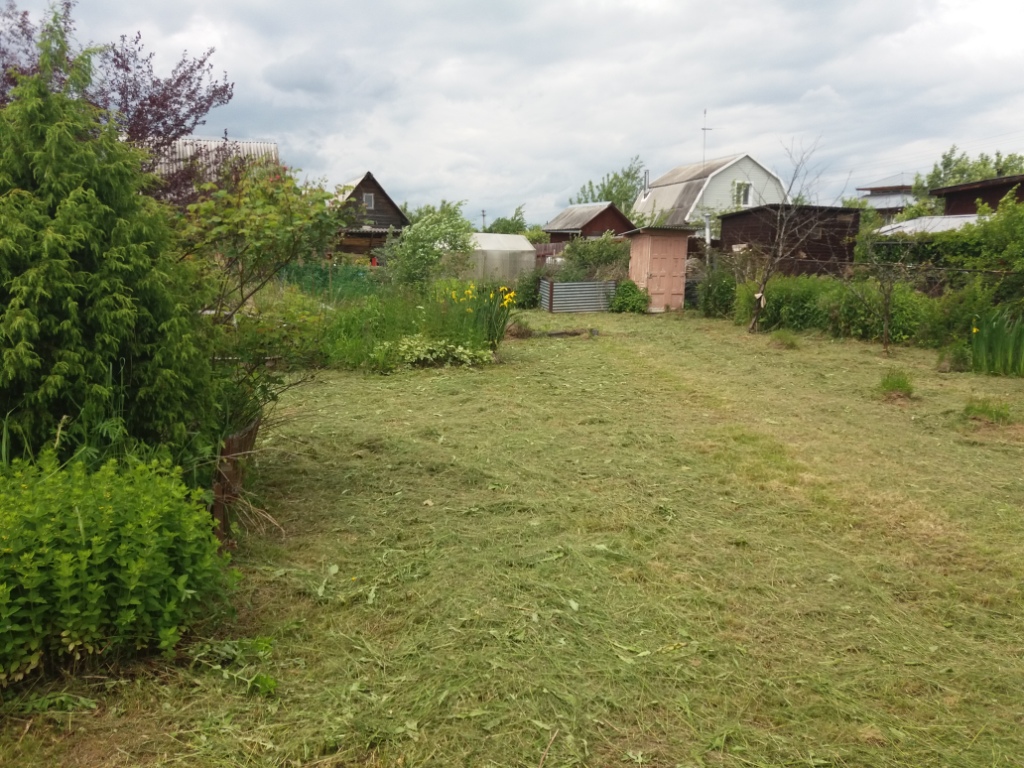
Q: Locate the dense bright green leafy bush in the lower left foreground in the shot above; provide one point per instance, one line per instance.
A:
(100, 565)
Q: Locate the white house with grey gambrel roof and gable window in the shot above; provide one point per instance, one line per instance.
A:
(682, 196)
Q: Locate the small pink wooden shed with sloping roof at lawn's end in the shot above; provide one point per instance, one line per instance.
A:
(658, 263)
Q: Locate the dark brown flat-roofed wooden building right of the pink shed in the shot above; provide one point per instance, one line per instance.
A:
(813, 240)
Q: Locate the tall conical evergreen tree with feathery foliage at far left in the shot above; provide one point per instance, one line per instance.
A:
(100, 331)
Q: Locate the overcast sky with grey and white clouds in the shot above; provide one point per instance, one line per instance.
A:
(501, 104)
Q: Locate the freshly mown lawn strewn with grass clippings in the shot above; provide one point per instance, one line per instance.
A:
(670, 544)
